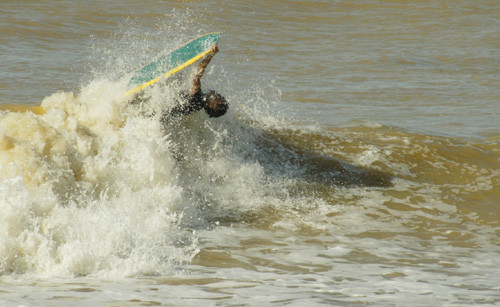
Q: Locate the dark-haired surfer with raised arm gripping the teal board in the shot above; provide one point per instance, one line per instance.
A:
(214, 103)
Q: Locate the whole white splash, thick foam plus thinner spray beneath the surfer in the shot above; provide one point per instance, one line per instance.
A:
(98, 186)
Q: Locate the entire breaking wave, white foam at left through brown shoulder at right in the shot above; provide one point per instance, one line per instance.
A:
(98, 186)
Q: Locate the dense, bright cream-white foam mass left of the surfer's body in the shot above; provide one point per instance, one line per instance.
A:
(88, 189)
